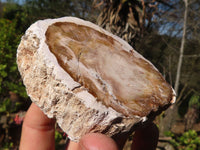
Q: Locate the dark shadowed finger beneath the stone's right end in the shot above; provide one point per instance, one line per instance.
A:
(146, 138)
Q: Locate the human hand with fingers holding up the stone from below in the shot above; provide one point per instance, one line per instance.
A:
(38, 134)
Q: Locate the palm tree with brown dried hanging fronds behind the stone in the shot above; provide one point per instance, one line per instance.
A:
(127, 18)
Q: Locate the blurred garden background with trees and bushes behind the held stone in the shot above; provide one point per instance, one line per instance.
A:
(166, 32)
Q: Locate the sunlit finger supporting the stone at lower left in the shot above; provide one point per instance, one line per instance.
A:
(37, 131)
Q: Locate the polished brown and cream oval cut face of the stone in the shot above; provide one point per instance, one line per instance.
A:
(121, 79)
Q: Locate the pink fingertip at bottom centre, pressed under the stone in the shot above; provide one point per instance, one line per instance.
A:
(97, 141)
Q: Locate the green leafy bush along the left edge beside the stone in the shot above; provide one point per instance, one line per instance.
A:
(10, 80)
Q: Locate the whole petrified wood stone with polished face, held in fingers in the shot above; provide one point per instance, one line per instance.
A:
(89, 79)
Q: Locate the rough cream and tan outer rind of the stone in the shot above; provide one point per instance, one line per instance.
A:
(54, 91)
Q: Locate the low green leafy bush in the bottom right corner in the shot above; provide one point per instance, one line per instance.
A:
(187, 141)
